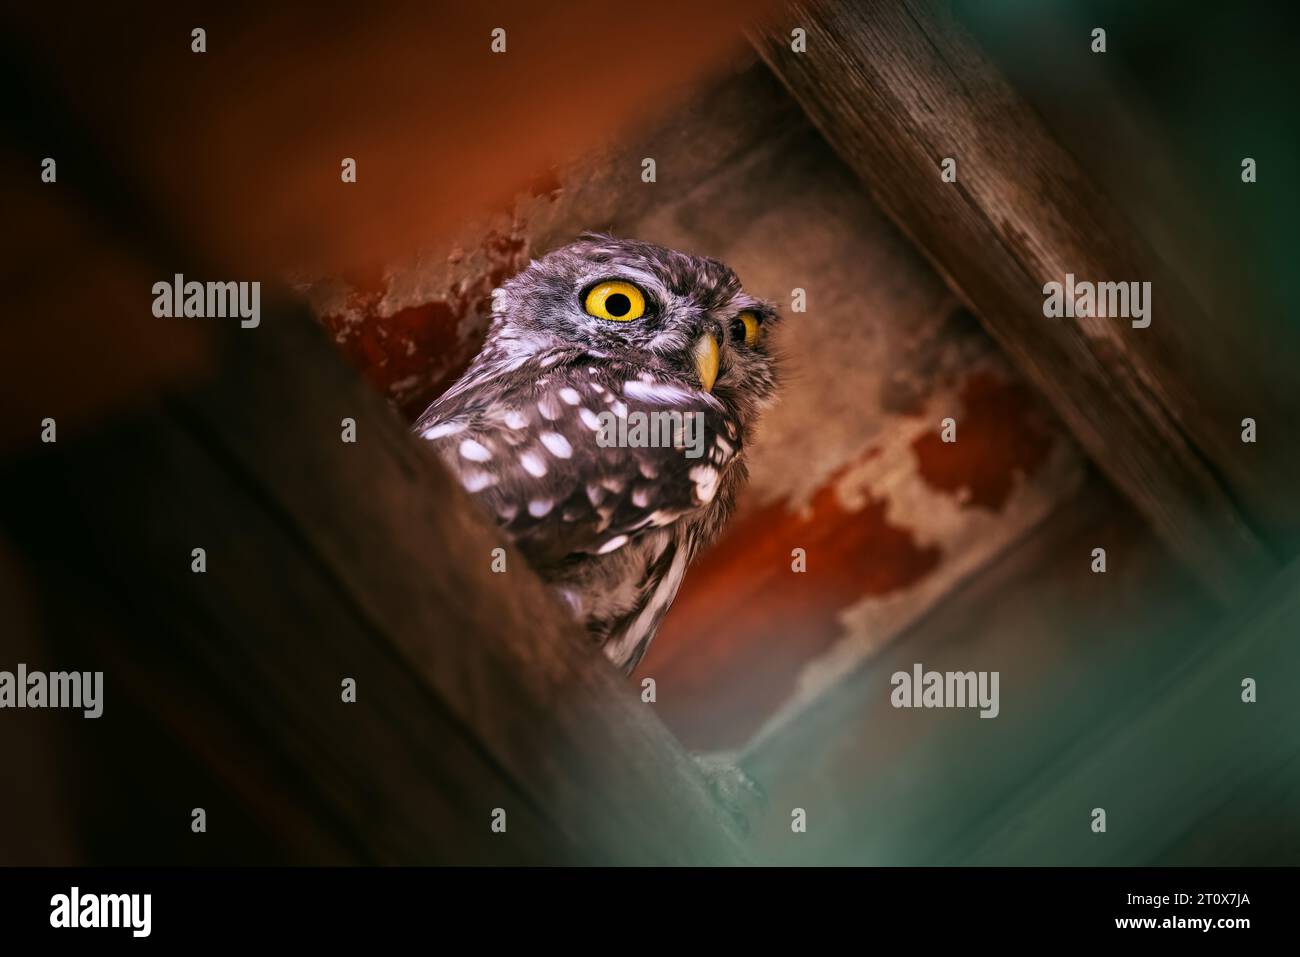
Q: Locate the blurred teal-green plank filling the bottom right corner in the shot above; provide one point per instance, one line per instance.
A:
(1193, 759)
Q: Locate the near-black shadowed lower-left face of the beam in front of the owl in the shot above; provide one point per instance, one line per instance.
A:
(223, 690)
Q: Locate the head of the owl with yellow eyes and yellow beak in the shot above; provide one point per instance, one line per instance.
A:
(643, 306)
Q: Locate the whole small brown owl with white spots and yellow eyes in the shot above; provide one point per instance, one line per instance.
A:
(612, 514)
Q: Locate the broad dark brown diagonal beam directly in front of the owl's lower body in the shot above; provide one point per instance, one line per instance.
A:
(330, 560)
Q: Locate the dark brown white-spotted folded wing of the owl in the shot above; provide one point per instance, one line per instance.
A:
(532, 444)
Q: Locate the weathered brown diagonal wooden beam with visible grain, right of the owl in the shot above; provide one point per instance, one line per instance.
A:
(896, 86)
